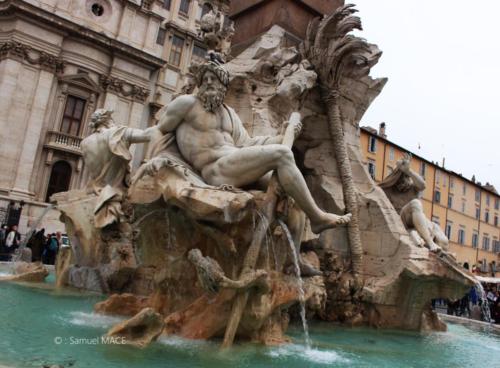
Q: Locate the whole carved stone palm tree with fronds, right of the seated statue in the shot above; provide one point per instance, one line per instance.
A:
(335, 55)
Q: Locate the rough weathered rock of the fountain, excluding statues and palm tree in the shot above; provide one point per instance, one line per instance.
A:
(400, 279)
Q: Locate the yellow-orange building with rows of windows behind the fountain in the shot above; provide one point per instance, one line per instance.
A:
(467, 211)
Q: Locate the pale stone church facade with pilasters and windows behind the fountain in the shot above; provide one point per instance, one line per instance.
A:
(62, 59)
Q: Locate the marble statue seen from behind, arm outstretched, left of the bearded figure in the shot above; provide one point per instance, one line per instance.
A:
(107, 157)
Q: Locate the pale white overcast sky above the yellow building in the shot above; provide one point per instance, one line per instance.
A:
(442, 58)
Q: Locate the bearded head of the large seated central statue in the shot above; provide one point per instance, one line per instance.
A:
(213, 81)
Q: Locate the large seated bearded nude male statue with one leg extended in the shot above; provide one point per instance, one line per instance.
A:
(212, 139)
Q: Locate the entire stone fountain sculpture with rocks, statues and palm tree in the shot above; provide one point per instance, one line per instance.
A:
(195, 242)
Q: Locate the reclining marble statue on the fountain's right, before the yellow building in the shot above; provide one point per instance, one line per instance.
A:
(404, 187)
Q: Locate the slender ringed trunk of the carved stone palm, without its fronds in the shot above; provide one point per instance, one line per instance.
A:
(330, 98)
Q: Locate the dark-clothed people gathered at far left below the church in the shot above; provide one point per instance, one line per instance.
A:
(44, 247)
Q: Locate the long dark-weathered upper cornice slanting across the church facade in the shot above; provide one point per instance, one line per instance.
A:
(9, 7)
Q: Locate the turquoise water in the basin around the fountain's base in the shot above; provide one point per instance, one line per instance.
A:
(39, 325)
